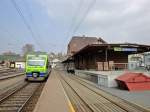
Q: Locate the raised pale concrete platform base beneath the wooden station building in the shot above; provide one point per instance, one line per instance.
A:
(106, 78)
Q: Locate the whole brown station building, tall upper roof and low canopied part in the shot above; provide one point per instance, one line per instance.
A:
(90, 53)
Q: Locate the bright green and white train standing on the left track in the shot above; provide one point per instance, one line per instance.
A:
(37, 67)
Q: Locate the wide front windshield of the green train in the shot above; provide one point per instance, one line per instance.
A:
(36, 62)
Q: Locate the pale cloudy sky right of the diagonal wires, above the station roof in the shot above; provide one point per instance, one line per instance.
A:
(119, 22)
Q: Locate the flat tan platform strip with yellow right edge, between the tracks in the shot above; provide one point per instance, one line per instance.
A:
(53, 97)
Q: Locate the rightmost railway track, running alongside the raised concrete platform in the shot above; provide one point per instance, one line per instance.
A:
(131, 107)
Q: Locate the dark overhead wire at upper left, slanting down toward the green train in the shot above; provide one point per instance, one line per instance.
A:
(25, 22)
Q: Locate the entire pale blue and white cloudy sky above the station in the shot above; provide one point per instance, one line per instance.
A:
(54, 22)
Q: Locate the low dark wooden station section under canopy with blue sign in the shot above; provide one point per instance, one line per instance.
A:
(107, 56)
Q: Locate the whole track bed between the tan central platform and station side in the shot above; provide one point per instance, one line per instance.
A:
(87, 98)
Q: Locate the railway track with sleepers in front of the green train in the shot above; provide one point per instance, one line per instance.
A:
(17, 99)
